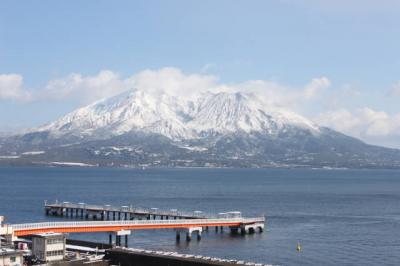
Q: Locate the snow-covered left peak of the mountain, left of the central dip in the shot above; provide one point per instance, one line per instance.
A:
(133, 110)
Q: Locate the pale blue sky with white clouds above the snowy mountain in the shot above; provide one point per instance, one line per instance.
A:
(335, 62)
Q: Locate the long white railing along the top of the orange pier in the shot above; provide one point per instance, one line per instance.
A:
(122, 223)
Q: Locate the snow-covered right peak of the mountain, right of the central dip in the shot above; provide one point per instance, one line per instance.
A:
(230, 112)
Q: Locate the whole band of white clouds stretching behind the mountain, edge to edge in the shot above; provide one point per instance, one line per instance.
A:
(312, 98)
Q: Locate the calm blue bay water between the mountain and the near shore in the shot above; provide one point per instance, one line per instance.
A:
(340, 217)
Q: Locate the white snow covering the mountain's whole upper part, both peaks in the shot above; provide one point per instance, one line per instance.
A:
(177, 118)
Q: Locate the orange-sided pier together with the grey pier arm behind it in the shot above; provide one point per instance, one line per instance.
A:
(120, 221)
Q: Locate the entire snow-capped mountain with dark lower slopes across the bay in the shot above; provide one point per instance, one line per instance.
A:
(139, 128)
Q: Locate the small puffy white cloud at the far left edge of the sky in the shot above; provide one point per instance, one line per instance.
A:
(11, 87)
